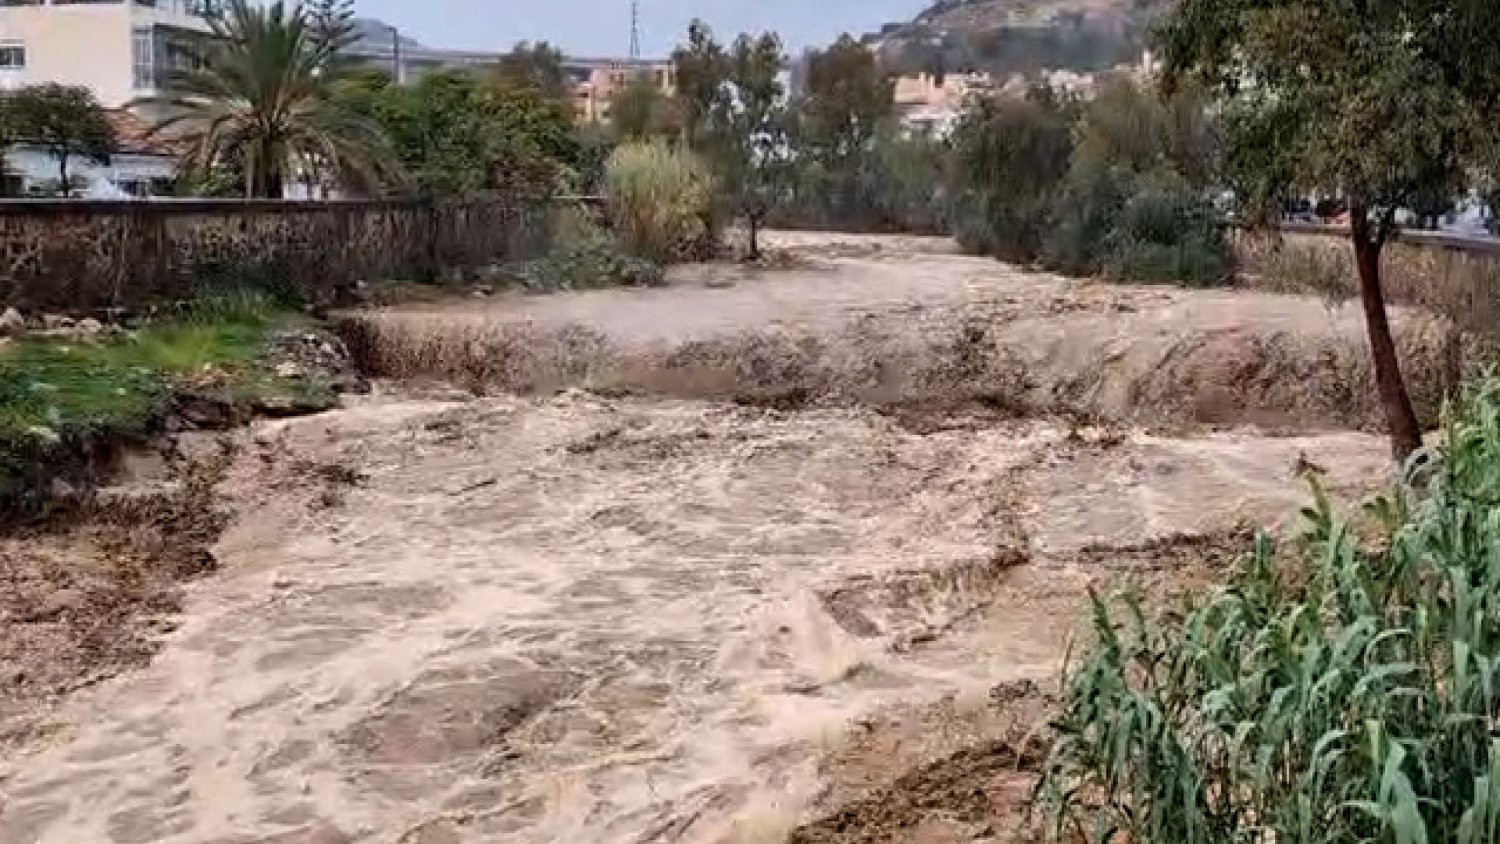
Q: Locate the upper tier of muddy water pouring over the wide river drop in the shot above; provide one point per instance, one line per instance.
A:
(901, 323)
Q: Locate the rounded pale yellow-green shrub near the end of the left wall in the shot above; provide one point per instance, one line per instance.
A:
(661, 202)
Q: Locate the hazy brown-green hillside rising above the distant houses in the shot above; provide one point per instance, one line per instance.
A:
(1019, 37)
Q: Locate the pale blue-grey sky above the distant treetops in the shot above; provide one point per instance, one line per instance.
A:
(602, 28)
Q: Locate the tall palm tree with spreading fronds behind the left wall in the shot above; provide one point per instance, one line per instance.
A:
(260, 103)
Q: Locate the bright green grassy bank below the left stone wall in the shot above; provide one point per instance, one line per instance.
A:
(71, 398)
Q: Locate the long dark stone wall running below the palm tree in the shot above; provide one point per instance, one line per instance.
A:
(86, 257)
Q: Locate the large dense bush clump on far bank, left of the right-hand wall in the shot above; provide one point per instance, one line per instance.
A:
(1118, 187)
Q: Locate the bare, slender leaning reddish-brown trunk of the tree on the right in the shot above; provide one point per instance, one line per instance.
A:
(1406, 434)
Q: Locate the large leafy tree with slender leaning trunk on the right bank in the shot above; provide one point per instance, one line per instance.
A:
(1379, 101)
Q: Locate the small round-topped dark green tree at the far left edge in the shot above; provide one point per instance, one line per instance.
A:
(65, 121)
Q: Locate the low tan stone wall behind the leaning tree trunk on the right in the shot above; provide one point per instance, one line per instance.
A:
(1454, 277)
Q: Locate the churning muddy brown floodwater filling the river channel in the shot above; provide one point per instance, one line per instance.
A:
(602, 615)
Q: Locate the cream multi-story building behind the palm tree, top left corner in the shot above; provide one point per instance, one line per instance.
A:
(121, 50)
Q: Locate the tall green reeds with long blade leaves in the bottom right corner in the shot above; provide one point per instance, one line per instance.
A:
(1337, 690)
